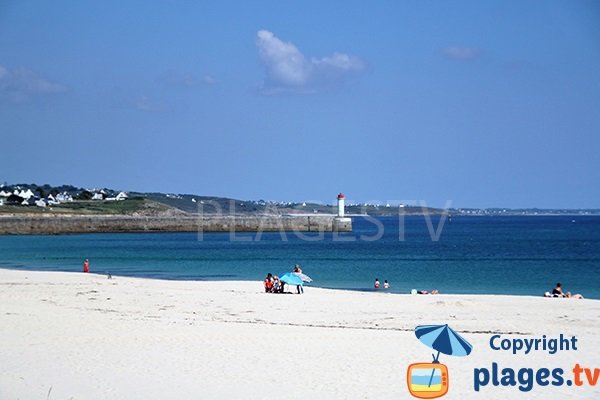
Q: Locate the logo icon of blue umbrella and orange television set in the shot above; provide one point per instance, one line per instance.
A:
(430, 380)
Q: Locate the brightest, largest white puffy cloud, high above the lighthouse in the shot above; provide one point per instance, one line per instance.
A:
(288, 70)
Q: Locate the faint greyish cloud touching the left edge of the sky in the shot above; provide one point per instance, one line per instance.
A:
(19, 85)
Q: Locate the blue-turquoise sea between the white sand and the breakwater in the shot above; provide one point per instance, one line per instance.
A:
(515, 255)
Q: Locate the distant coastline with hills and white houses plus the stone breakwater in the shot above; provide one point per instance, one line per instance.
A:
(45, 209)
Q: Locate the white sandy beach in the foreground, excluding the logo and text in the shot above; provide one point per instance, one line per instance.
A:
(83, 336)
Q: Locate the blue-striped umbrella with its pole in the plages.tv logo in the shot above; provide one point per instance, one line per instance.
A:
(443, 339)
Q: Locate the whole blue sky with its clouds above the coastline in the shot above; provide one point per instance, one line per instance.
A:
(476, 103)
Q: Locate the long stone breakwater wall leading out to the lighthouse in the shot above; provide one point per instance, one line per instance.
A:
(17, 224)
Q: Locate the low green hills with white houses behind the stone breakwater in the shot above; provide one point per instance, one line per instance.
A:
(27, 198)
